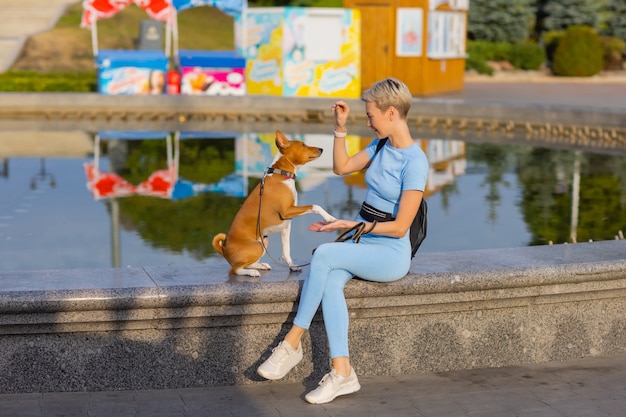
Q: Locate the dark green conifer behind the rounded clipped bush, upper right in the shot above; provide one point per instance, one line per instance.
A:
(560, 14)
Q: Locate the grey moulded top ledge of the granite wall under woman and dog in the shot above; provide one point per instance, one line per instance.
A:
(63, 298)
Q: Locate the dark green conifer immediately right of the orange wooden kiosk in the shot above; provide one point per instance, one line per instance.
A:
(500, 20)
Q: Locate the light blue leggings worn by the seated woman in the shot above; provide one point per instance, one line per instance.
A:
(332, 266)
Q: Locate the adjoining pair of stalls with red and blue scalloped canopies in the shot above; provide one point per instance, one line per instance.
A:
(150, 71)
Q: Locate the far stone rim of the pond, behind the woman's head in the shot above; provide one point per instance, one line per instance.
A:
(91, 111)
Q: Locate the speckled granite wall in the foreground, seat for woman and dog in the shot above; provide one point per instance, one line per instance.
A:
(143, 328)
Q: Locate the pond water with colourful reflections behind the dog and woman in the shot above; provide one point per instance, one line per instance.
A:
(480, 195)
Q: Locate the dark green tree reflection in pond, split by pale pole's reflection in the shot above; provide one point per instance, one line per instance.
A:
(546, 177)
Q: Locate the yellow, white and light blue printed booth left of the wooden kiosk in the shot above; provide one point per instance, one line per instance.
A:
(301, 51)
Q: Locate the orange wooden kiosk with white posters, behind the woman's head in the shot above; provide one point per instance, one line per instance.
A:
(421, 42)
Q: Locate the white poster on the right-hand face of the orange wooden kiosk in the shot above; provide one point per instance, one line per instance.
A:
(446, 35)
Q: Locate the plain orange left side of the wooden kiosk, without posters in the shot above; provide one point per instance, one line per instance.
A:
(377, 36)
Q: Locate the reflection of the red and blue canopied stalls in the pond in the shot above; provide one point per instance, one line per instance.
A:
(164, 183)
